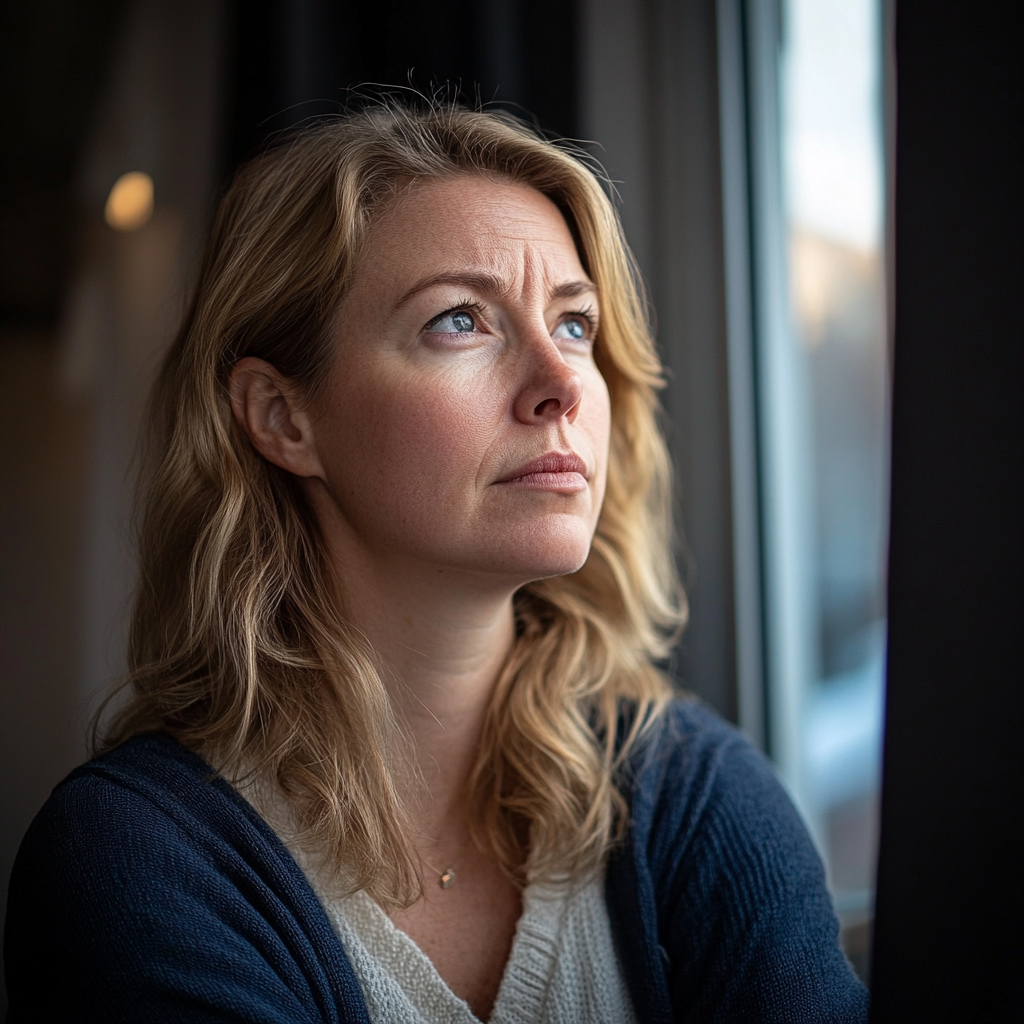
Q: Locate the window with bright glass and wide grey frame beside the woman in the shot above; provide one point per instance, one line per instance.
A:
(778, 391)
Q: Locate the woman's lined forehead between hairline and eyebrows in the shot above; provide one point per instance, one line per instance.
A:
(472, 220)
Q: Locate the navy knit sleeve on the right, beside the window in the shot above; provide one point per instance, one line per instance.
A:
(729, 879)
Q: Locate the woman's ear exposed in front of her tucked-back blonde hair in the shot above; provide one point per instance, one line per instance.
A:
(270, 409)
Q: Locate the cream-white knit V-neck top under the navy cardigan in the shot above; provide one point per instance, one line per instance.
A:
(563, 969)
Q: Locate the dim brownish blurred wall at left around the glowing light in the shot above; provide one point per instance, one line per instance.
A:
(73, 399)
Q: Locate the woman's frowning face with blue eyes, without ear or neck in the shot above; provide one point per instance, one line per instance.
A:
(465, 426)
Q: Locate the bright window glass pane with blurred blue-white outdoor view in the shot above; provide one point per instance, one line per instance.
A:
(824, 392)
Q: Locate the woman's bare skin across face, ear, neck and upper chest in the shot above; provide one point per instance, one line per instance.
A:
(464, 354)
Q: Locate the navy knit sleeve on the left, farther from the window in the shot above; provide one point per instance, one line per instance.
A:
(140, 899)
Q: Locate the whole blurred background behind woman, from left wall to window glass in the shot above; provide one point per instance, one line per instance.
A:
(748, 141)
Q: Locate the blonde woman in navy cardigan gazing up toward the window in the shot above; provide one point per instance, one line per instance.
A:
(395, 747)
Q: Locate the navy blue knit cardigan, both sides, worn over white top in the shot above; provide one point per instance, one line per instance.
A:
(147, 889)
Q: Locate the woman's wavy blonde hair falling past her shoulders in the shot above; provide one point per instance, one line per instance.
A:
(236, 646)
